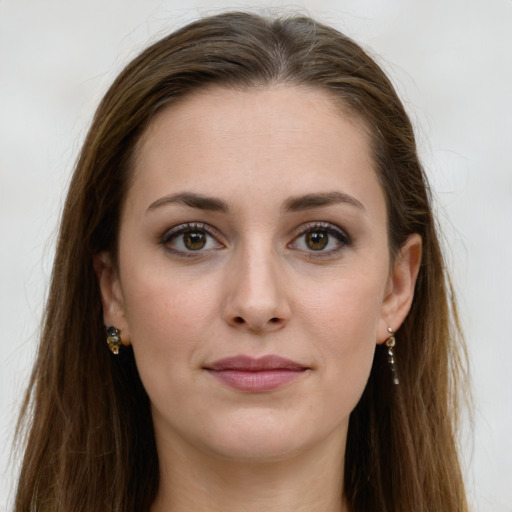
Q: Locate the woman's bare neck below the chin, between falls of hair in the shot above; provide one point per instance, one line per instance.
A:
(193, 481)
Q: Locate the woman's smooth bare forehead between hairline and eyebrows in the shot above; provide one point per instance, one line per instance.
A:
(272, 140)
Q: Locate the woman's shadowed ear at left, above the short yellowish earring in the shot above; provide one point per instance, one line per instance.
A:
(111, 295)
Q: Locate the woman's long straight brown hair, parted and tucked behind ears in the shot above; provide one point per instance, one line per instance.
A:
(86, 421)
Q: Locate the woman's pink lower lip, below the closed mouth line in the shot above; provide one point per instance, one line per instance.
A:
(256, 381)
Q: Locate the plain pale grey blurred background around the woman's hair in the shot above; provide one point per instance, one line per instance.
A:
(451, 61)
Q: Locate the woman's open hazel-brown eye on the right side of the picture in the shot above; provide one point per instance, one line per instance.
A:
(321, 237)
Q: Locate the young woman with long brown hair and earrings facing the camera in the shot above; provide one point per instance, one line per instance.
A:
(247, 229)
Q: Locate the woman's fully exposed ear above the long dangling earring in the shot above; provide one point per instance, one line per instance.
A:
(400, 287)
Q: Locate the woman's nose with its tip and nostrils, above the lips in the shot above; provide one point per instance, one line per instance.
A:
(256, 293)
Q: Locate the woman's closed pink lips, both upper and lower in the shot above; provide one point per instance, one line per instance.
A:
(256, 375)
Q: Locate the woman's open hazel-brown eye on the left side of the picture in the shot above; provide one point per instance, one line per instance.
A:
(190, 238)
